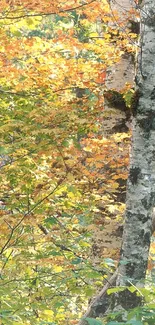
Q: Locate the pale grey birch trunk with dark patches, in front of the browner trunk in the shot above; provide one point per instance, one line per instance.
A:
(141, 180)
